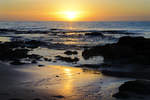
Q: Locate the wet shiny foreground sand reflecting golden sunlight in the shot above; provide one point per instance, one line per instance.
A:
(52, 82)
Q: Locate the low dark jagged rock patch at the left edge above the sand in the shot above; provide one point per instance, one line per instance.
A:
(16, 50)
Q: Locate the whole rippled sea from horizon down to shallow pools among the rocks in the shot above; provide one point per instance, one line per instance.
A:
(63, 36)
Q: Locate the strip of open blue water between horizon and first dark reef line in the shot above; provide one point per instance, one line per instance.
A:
(141, 26)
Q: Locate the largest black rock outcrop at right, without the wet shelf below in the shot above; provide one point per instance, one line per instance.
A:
(128, 49)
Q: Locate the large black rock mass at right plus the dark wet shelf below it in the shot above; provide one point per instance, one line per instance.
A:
(129, 57)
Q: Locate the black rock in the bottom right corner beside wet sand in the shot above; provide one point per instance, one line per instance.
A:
(138, 87)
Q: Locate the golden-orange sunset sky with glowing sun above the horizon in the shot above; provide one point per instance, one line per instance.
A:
(75, 10)
